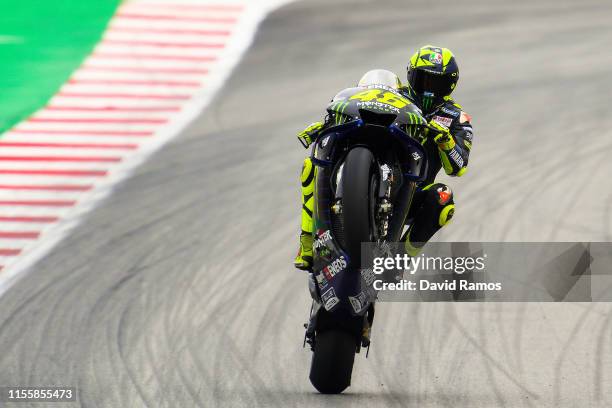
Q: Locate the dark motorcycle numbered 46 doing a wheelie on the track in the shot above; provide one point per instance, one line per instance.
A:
(367, 167)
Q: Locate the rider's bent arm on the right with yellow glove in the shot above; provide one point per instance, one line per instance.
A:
(454, 144)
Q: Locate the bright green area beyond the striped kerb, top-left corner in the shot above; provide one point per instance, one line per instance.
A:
(41, 43)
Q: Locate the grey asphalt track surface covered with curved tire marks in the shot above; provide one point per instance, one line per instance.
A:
(178, 290)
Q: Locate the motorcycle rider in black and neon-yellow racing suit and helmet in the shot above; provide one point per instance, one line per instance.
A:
(432, 76)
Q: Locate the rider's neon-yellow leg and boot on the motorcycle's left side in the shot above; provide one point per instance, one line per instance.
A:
(303, 260)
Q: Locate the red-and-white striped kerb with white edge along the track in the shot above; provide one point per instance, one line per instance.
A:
(157, 67)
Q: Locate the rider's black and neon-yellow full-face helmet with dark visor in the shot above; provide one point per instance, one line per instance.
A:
(433, 74)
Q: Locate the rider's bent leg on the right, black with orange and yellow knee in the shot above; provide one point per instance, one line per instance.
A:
(433, 208)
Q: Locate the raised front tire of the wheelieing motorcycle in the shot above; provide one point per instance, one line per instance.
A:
(357, 181)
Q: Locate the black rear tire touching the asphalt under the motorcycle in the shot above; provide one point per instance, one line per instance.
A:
(332, 361)
